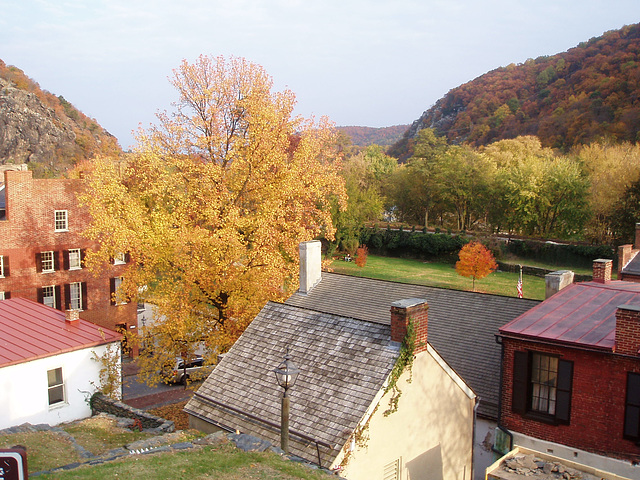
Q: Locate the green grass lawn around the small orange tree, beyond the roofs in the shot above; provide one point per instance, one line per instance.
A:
(440, 275)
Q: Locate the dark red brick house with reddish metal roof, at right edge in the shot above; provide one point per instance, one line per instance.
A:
(571, 370)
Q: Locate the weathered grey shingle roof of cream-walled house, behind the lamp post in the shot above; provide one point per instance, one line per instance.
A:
(343, 362)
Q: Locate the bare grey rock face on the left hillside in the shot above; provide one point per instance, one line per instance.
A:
(31, 132)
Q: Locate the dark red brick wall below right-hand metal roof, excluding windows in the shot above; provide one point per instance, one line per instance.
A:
(597, 401)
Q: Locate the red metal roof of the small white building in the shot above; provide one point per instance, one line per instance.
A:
(30, 330)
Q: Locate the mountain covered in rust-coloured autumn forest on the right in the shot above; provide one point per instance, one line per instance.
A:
(588, 93)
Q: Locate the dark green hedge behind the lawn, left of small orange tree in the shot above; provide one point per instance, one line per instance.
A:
(402, 243)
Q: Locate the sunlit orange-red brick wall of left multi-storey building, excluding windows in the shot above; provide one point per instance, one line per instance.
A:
(29, 229)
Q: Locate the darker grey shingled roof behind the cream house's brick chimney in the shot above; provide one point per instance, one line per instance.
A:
(462, 325)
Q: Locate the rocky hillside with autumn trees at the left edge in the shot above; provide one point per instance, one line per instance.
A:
(43, 130)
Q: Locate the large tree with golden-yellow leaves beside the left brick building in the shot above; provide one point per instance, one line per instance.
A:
(213, 203)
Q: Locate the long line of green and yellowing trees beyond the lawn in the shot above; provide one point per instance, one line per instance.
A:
(513, 186)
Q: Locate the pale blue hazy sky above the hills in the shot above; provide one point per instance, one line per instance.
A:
(370, 63)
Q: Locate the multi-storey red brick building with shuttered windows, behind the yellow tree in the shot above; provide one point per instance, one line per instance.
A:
(42, 252)
